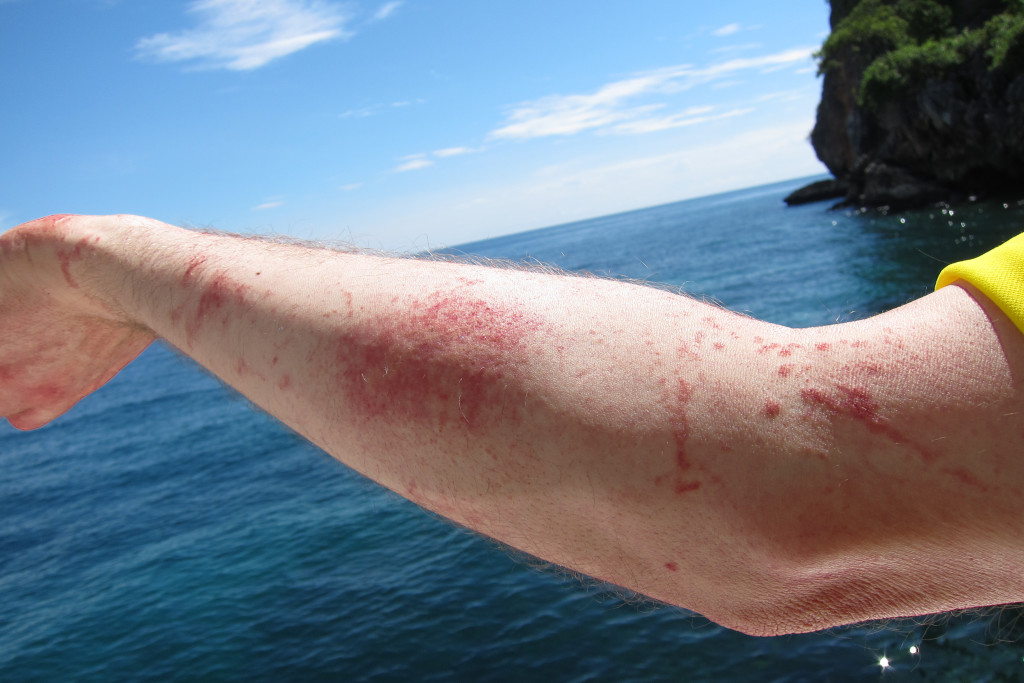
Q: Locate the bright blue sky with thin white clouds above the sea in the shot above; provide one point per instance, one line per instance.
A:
(399, 124)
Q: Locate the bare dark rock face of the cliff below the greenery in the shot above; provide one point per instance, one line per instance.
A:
(958, 134)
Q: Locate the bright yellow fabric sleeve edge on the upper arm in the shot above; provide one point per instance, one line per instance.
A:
(1000, 276)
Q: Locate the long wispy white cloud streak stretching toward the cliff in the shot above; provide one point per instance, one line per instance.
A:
(612, 107)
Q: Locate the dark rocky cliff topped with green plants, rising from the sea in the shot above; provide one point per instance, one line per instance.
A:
(923, 101)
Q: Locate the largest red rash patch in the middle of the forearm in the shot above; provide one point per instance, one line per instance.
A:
(450, 360)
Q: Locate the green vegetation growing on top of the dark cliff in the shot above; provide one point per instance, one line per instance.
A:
(901, 45)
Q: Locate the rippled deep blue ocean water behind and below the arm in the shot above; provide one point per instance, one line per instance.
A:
(165, 531)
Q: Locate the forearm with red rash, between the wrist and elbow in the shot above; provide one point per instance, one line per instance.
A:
(578, 420)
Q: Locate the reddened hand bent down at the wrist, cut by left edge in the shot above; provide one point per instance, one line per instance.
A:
(59, 341)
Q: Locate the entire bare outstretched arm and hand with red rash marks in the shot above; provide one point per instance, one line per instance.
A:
(776, 481)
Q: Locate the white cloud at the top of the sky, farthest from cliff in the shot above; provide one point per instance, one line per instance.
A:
(241, 35)
